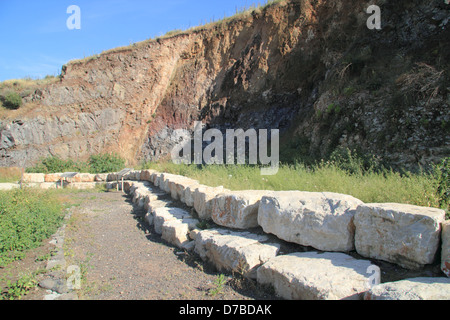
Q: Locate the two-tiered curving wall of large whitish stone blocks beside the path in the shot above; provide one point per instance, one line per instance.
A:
(332, 223)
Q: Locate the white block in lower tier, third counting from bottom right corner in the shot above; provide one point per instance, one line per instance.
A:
(241, 252)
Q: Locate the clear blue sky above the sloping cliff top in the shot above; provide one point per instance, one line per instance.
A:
(35, 40)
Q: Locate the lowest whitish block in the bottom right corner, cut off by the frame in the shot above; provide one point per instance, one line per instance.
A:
(412, 289)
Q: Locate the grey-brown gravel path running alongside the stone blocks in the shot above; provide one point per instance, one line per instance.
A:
(122, 259)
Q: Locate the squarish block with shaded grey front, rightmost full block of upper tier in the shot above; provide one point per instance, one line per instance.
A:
(403, 234)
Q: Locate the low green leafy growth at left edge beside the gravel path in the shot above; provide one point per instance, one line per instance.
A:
(27, 217)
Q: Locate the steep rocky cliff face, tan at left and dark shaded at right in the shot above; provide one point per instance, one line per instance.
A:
(310, 68)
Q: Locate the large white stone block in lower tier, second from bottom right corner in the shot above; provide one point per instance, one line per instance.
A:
(315, 276)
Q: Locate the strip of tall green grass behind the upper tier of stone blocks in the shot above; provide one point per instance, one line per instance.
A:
(370, 186)
